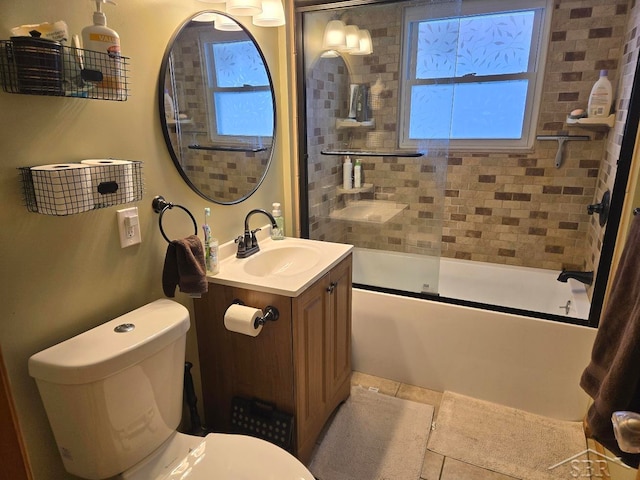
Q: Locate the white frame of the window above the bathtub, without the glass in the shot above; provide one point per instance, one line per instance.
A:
(535, 75)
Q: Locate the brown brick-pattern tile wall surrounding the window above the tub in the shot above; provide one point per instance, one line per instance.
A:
(499, 207)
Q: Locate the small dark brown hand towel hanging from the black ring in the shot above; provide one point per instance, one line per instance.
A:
(184, 266)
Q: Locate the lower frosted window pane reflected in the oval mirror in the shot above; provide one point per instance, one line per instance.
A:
(244, 113)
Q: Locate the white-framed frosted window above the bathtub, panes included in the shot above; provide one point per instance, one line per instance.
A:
(473, 77)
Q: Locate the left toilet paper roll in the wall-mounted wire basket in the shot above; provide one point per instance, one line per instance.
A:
(62, 188)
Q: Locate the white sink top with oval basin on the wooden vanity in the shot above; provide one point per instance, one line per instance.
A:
(283, 267)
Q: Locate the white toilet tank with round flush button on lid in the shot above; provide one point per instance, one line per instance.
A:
(113, 394)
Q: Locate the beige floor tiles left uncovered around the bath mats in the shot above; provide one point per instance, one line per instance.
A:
(435, 466)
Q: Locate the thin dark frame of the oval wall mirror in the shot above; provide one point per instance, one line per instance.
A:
(164, 66)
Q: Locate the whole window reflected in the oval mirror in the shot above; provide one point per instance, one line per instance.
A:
(239, 93)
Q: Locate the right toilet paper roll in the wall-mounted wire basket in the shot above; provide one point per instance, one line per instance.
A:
(115, 172)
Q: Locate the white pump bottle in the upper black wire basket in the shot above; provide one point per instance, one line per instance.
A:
(106, 42)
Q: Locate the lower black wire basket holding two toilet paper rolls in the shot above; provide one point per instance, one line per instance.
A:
(67, 189)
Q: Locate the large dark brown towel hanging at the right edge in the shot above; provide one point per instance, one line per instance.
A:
(612, 378)
